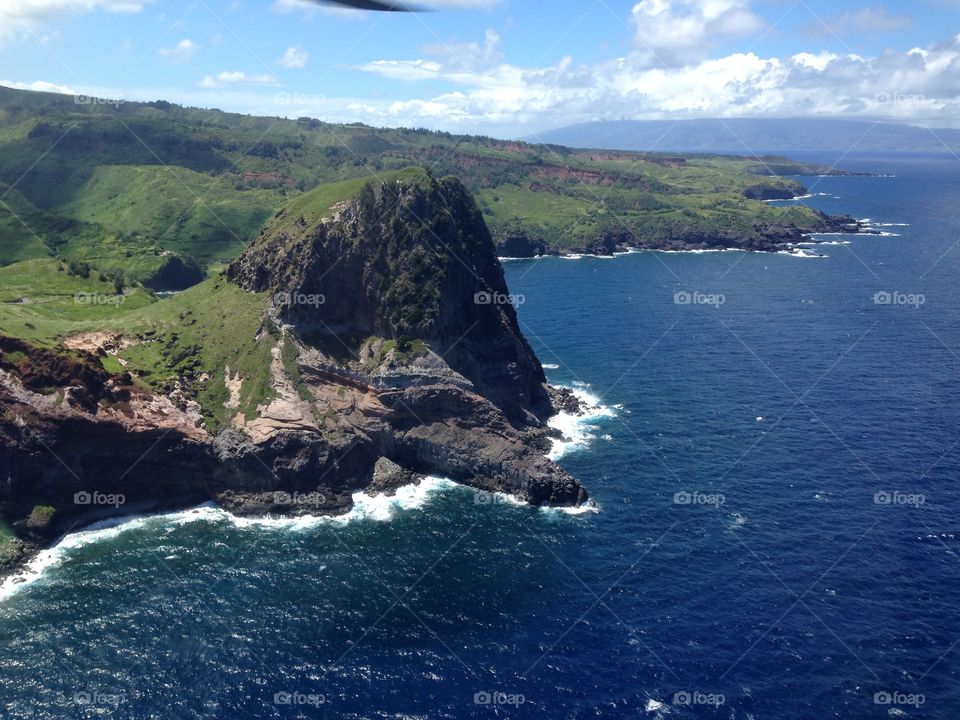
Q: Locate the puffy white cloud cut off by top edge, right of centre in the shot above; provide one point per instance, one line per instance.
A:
(675, 32)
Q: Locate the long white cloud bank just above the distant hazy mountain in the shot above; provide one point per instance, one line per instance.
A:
(919, 85)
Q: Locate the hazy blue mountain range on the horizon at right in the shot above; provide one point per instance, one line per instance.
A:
(746, 135)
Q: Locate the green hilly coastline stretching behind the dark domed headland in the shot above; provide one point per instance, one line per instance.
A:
(139, 178)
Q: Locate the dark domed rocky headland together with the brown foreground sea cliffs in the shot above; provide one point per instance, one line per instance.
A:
(396, 354)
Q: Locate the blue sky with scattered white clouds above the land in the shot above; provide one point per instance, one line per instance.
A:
(506, 68)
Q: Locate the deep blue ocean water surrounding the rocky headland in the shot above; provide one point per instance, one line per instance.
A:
(779, 531)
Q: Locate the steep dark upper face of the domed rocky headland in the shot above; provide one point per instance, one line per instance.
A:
(407, 259)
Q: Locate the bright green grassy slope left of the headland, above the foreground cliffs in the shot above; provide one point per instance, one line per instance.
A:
(202, 330)
